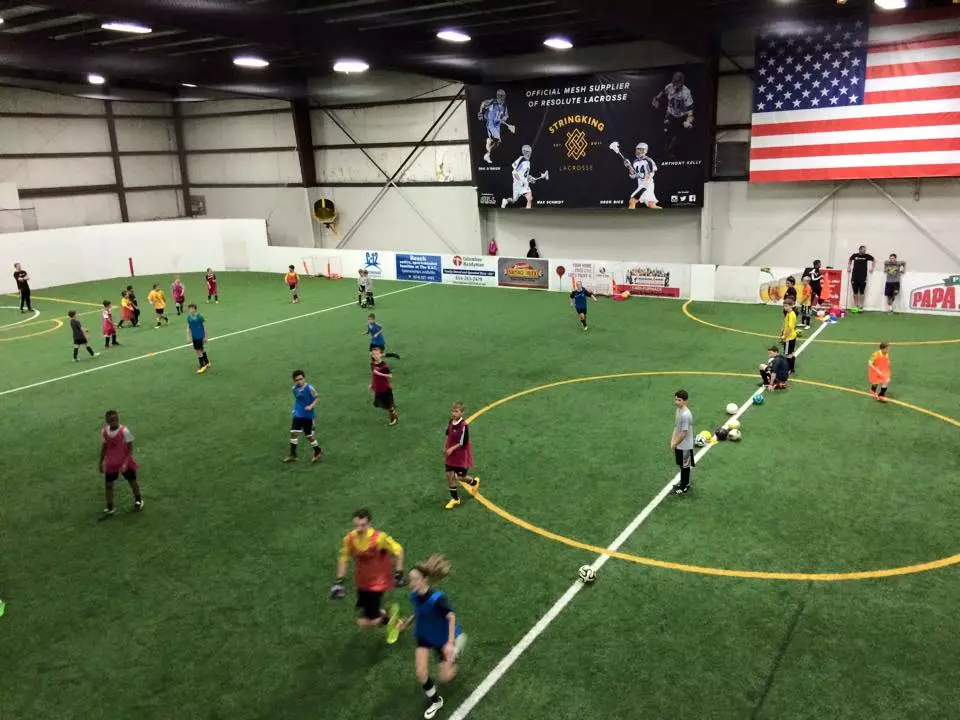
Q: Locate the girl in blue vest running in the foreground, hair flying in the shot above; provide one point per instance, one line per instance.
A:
(435, 628)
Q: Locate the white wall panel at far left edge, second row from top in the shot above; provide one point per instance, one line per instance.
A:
(53, 135)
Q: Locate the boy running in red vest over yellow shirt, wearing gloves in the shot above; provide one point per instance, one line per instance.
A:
(374, 574)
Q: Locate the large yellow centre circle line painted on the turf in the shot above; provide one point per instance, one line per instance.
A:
(702, 569)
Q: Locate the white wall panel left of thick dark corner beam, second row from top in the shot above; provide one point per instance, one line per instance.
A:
(246, 131)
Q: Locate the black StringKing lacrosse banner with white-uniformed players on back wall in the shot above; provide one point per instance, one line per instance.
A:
(636, 140)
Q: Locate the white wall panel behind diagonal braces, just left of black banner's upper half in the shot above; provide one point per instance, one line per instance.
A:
(390, 123)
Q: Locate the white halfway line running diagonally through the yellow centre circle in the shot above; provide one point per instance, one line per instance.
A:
(487, 684)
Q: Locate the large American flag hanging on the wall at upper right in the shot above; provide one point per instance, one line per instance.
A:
(858, 99)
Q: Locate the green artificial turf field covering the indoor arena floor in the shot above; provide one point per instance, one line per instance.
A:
(213, 602)
